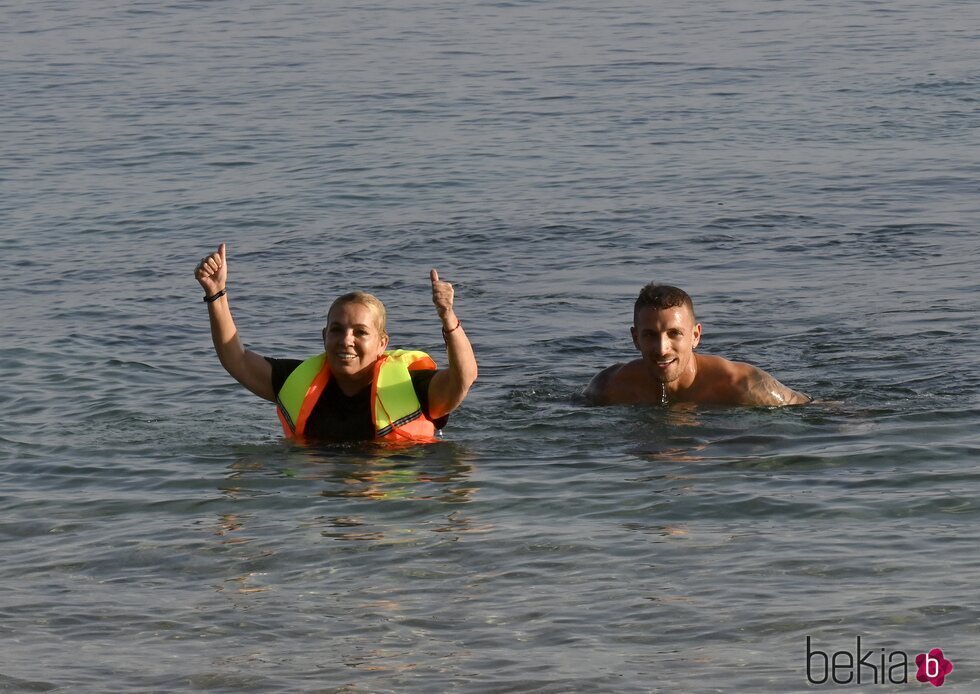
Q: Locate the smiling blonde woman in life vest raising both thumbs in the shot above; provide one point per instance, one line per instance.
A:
(355, 390)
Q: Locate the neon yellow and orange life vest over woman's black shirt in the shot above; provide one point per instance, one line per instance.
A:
(396, 411)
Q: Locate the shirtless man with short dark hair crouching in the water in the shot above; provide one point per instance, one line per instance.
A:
(666, 332)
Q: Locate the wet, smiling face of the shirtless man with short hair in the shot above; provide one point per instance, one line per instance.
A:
(666, 339)
